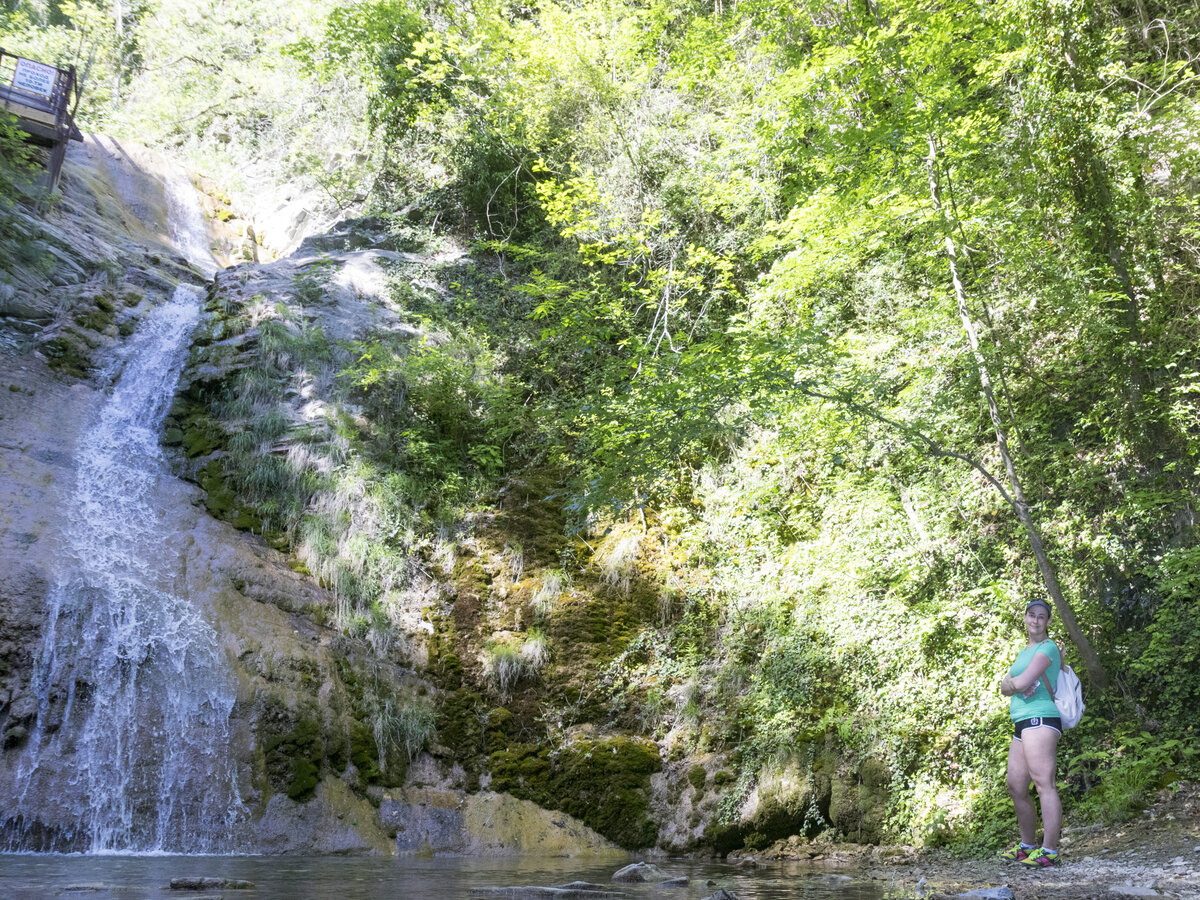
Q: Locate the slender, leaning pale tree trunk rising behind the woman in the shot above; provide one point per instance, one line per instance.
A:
(1049, 577)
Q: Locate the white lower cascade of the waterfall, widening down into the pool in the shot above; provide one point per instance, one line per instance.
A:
(134, 699)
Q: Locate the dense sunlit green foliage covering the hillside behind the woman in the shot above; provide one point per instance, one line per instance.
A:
(758, 272)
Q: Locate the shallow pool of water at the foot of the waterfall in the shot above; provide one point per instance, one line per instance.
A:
(91, 878)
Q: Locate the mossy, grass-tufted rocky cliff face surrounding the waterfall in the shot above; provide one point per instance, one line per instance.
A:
(387, 691)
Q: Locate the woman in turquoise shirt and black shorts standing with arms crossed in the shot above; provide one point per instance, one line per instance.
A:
(1037, 729)
